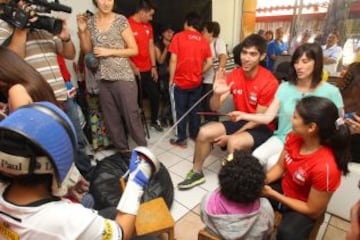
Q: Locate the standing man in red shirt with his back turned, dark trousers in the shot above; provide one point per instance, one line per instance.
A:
(190, 58)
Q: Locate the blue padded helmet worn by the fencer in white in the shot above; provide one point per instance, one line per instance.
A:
(41, 126)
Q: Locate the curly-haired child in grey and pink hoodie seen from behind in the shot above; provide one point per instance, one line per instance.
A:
(236, 210)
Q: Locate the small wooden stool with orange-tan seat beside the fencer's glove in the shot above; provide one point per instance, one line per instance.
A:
(153, 218)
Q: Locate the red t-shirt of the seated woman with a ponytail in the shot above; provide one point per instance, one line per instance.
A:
(317, 170)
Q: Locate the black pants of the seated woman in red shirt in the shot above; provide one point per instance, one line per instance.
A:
(294, 226)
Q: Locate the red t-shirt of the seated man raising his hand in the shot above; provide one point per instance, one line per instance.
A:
(249, 93)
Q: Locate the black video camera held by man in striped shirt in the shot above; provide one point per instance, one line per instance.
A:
(19, 17)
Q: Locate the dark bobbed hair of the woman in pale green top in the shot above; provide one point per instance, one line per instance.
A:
(312, 51)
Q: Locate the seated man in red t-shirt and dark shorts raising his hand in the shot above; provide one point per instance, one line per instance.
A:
(253, 89)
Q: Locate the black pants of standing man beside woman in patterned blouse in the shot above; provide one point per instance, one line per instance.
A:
(150, 90)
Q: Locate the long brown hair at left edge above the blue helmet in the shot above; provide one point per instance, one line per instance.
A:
(14, 70)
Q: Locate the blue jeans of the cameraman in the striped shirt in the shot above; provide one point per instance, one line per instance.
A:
(82, 160)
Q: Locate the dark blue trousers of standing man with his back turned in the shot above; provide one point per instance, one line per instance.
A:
(184, 100)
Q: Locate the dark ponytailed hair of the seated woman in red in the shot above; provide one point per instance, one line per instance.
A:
(333, 132)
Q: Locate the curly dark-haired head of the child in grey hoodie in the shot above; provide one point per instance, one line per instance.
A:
(242, 179)
